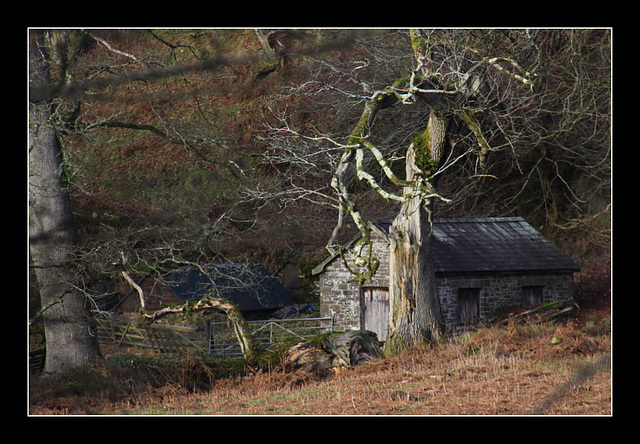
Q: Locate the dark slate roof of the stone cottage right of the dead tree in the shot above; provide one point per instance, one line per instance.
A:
(492, 244)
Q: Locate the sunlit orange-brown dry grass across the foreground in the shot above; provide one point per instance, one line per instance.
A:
(515, 370)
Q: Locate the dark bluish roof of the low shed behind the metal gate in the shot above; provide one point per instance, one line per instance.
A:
(248, 286)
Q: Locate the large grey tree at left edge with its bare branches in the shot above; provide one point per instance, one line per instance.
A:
(58, 95)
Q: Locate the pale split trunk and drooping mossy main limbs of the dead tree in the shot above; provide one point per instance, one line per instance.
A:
(414, 313)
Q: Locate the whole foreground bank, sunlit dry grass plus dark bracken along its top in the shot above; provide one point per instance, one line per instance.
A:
(522, 367)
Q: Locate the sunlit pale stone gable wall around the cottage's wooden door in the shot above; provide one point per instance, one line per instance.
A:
(340, 295)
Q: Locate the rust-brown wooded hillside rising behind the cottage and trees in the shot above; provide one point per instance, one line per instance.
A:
(210, 156)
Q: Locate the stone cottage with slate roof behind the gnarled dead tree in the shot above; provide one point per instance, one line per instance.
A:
(483, 267)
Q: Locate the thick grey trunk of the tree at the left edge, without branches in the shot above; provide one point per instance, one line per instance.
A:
(69, 342)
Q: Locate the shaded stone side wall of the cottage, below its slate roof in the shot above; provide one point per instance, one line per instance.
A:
(500, 292)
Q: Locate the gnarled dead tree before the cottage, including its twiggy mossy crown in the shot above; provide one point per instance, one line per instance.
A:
(447, 79)
